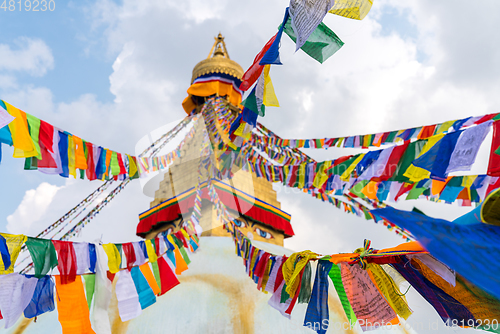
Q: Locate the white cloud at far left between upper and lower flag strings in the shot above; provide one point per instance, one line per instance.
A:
(32, 208)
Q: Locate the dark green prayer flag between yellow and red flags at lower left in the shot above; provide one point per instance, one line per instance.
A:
(43, 254)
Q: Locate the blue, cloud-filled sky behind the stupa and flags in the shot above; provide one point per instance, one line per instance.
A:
(113, 72)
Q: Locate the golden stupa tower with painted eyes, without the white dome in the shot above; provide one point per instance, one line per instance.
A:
(247, 196)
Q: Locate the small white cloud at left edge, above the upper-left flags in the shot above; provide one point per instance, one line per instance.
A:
(29, 55)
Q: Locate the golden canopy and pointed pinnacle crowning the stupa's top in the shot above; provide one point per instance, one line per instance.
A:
(218, 61)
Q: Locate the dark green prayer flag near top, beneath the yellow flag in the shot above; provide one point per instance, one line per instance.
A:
(322, 43)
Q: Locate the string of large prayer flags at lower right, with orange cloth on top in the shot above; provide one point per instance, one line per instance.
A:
(367, 283)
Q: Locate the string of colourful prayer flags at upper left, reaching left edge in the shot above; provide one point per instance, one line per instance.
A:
(54, 151)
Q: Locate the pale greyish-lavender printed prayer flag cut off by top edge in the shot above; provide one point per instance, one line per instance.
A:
(306, 16)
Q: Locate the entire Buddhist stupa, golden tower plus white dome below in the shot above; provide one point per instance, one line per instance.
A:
(215, 295)
